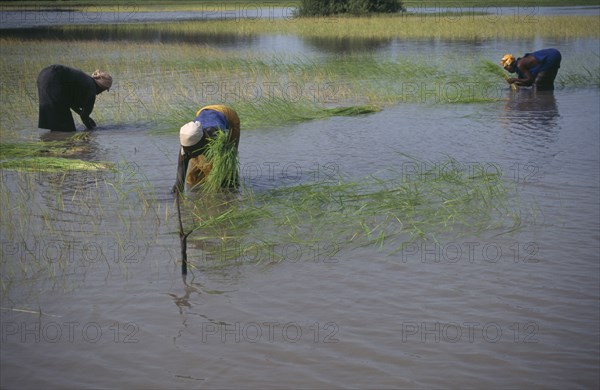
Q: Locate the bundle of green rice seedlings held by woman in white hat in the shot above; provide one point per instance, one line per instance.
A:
(223, 156)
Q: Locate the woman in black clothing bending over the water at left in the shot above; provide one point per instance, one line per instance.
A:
(62, 89)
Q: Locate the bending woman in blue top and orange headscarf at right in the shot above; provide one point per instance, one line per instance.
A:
(538, 68)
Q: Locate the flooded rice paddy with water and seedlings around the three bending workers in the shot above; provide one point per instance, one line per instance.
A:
(446, 236)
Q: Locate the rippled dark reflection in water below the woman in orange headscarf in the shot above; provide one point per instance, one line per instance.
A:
(532, 114)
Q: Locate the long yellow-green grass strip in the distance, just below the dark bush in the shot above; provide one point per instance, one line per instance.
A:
(380, 27)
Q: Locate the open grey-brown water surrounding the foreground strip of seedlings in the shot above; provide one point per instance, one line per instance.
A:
(514, 310)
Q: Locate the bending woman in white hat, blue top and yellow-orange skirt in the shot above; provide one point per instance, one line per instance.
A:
(194, 136)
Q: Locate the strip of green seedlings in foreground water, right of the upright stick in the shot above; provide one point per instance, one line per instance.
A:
(388, 212)
